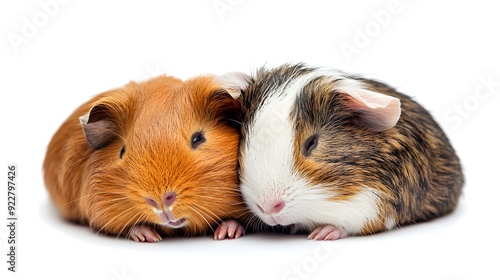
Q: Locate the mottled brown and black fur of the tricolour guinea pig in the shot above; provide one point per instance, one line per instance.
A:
(412, 167)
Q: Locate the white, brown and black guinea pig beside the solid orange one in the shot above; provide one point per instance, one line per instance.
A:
(335, 154)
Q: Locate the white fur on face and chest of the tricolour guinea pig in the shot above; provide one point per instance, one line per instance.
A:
(268, 172)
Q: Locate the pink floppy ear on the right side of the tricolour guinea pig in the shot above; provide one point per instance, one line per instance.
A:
(377, 111)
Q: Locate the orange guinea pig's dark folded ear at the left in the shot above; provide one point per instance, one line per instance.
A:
(98, 126)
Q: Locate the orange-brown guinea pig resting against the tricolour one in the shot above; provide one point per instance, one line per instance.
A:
(150, 159)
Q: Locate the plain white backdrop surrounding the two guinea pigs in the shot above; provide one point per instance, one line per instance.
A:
(56, 54)
